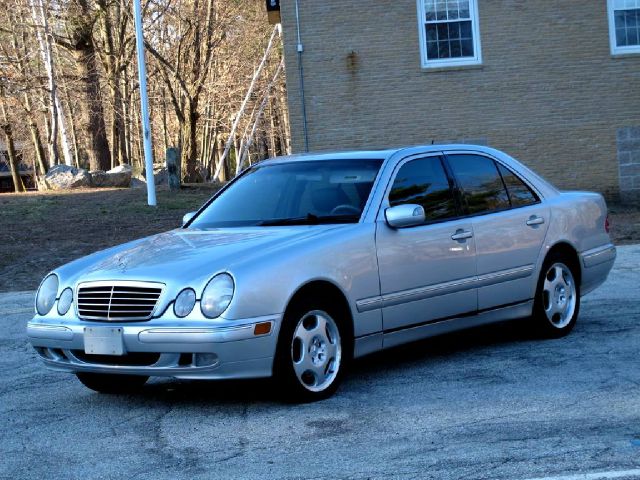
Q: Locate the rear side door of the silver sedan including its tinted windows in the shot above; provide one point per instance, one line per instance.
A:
(509, 224)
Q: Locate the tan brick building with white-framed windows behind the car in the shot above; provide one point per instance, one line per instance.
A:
(554, 83)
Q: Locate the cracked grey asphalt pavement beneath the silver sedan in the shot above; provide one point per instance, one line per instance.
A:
(483, 404)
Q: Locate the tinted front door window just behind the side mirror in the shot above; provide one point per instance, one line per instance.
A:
(424, 182)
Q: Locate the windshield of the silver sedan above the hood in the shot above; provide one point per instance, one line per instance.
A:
(296, 193)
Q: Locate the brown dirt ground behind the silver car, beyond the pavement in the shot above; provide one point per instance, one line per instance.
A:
(39, 231)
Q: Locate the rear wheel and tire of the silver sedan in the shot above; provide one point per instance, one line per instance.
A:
(557, 301)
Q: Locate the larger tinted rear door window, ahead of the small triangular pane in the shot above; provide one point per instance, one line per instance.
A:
(482, 187)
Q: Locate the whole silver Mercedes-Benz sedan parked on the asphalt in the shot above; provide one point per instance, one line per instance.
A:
(303, 263)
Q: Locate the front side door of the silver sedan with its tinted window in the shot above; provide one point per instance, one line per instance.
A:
(427, 272)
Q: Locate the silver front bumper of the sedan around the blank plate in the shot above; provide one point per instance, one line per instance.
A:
(217, 349)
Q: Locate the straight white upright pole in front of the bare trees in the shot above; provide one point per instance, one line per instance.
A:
(144, 101)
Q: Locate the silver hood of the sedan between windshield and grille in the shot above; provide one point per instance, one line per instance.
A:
(186, 256)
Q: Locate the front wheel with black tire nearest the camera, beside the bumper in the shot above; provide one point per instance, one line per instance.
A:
(314, 350)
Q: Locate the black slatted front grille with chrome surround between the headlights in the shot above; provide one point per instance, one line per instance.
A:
(117, 302)
